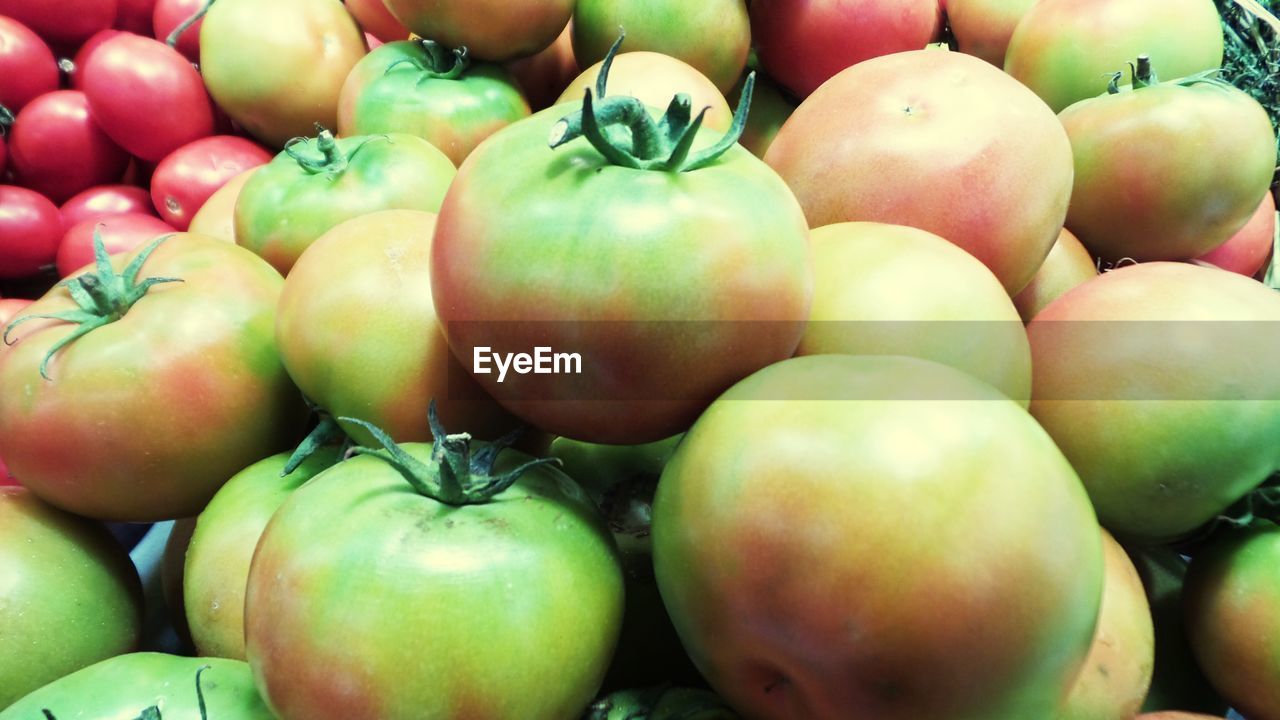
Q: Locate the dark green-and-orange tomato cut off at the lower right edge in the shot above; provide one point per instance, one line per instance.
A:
(1229, 599)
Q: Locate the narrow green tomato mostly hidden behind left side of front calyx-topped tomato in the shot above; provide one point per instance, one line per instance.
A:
(217, 566)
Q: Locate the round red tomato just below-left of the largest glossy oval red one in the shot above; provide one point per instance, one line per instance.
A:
(58, 151)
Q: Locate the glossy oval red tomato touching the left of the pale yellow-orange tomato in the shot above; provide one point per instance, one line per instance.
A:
(147, 97)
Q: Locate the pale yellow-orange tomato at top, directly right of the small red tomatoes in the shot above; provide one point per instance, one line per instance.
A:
(277, 69)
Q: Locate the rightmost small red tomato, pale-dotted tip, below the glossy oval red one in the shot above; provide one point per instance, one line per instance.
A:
(189, 176)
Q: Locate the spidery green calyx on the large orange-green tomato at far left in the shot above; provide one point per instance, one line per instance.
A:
(102, 297)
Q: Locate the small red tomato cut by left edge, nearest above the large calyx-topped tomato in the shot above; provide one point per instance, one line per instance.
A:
(30, 233)
